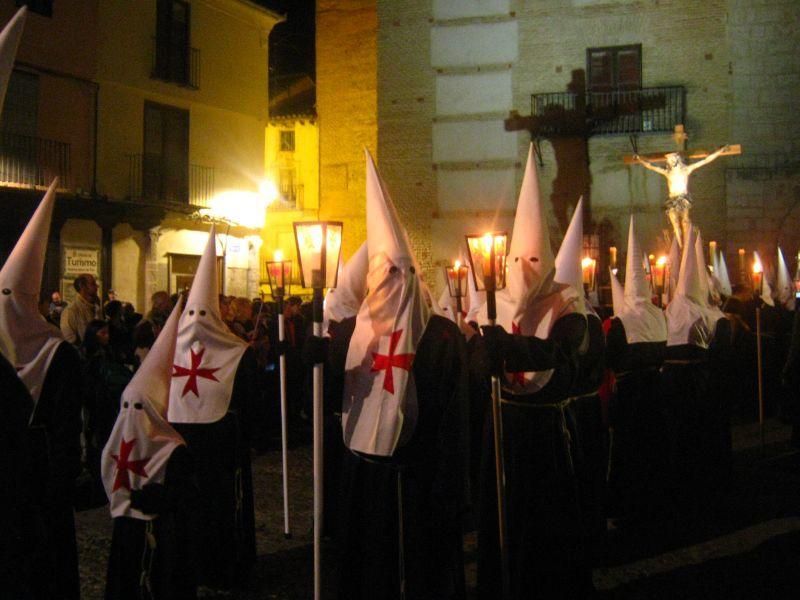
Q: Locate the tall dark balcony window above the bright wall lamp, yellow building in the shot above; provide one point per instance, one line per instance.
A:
(165, 165)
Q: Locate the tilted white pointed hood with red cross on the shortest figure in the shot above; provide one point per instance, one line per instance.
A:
(141, 443)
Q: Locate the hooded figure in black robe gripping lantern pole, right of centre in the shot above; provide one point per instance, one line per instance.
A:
(535, 350)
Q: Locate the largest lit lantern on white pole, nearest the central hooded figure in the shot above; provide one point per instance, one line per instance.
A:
(319, 244)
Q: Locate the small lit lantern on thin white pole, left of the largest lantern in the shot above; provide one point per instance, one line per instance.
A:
(279, 273)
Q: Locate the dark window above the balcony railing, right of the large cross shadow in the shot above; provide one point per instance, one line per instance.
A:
(614, 69)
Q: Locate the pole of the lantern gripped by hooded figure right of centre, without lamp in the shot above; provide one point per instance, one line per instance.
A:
(499, 460)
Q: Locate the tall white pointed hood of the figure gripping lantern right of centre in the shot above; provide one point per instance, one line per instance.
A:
(532, 302)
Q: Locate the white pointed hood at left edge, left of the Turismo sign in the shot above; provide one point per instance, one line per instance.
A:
(26, 340)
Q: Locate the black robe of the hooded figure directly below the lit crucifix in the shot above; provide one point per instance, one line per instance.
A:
(697, 423)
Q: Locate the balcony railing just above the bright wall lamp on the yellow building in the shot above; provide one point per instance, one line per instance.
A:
(150, 180)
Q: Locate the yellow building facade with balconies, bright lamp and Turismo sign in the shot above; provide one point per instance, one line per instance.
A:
(148, 112)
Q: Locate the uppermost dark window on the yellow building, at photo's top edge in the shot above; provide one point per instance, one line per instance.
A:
(172, 41)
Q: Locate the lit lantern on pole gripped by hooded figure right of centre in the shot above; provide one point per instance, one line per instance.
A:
(487, 257)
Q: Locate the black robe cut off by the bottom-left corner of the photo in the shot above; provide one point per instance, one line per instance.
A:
(21, 525)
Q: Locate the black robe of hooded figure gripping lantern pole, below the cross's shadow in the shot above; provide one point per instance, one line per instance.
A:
(546, 545)
